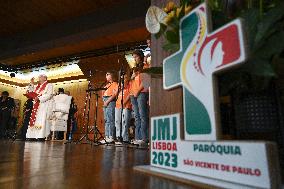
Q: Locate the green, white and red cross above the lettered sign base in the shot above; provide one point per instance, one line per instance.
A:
(201, 55)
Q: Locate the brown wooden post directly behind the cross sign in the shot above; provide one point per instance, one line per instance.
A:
(162, 102)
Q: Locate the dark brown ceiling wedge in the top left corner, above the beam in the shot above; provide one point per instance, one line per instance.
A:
(28, 15)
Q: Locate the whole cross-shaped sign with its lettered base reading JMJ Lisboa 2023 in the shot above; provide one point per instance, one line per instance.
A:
(194, 152)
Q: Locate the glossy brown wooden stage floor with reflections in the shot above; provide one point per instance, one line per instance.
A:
(52, 165)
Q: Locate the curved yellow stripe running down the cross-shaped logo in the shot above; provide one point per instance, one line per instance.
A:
(192, 50)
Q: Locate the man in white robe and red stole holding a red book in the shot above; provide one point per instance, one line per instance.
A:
(39, 126)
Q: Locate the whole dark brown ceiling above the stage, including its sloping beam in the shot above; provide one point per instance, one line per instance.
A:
(35, 30)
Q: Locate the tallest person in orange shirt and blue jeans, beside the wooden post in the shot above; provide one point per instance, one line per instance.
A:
(139, 99)
